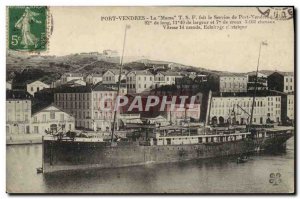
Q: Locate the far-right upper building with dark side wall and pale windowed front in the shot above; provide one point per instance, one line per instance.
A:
(281, 81)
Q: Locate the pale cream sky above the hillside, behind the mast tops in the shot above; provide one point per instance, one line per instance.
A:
(80, 29)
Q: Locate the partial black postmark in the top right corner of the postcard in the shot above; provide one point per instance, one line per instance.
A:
(277, 13)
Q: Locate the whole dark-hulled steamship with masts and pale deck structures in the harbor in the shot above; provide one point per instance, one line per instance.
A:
(151, 144)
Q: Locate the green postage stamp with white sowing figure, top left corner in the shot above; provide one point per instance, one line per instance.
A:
(27, 28)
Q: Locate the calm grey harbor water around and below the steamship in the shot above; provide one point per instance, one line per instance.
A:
(262, 173)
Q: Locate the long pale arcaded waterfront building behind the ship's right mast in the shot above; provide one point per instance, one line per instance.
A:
(237, 109)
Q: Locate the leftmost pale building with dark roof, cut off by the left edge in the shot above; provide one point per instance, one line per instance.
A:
(18, 112)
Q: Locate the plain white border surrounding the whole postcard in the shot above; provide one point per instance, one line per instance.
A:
(105, 3)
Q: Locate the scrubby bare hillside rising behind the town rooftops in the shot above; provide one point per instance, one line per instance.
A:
(86, 63)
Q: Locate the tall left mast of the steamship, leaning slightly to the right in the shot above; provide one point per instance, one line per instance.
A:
(119, 84)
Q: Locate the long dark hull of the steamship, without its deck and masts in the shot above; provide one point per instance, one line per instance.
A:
(73, 155)
